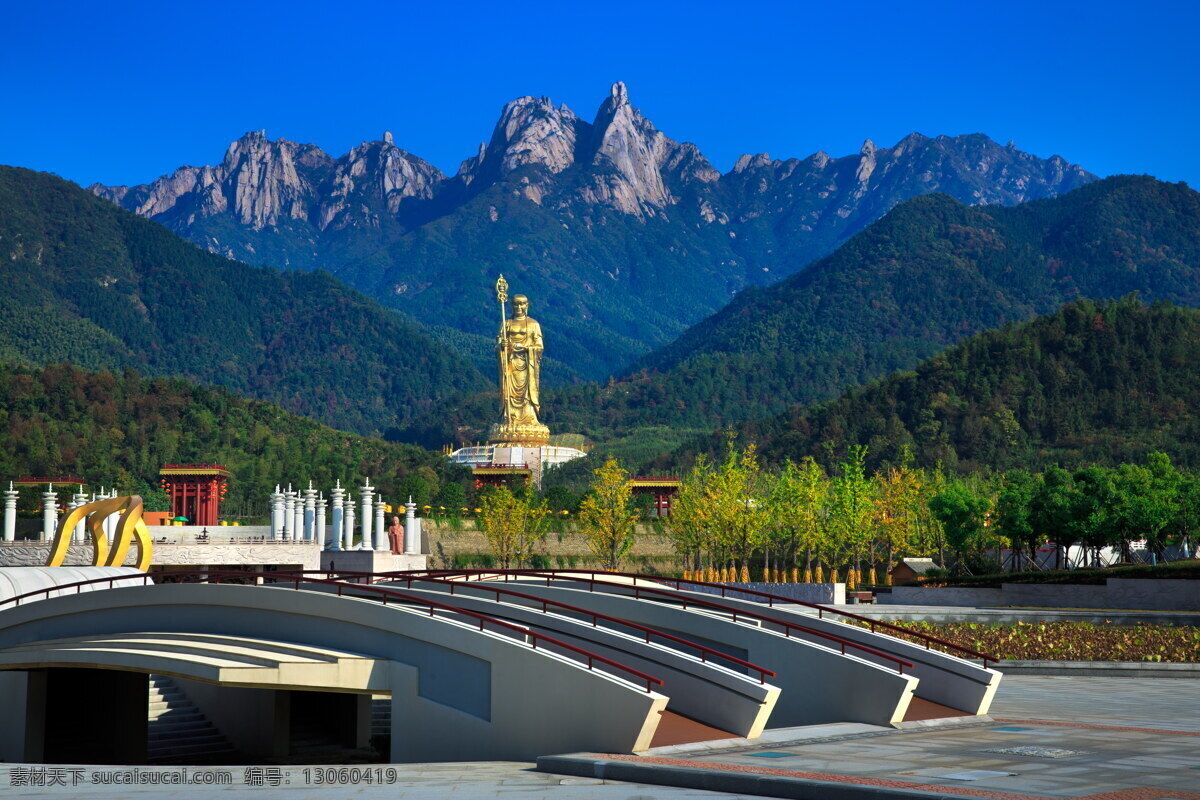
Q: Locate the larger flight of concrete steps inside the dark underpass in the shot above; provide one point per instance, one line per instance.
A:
(178, 733)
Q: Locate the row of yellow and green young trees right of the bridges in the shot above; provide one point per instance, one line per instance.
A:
(802, 522)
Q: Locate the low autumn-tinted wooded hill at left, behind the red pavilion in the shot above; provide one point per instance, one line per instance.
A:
(122, 429)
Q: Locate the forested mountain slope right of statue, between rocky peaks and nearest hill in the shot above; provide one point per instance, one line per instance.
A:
(929, 274)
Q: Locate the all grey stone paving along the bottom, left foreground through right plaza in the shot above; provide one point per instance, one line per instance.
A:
(1112, 738)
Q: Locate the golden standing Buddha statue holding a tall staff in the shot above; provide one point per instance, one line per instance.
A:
(519, 351)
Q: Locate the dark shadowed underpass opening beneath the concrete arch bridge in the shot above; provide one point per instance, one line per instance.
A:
(86, 715)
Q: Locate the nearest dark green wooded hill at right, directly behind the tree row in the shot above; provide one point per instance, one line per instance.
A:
(1094, 383)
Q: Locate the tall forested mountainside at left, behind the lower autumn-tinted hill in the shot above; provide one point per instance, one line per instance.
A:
(94, 285)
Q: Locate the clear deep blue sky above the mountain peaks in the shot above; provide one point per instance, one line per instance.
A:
(123, 93)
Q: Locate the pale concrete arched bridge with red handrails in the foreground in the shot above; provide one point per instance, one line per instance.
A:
(449, 666)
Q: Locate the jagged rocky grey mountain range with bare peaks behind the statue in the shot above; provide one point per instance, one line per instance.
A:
(621, 236)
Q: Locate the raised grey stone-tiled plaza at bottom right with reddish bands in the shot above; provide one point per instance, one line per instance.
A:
(1112, 738)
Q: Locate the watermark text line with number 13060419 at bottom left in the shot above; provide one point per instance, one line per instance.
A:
(251, 777)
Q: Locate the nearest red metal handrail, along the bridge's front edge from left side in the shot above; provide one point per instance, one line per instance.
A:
(535, 637)
